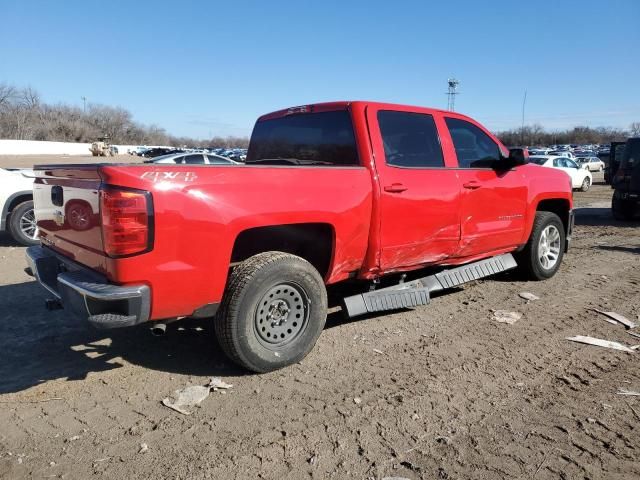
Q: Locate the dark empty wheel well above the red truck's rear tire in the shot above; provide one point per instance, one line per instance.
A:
(311, 241)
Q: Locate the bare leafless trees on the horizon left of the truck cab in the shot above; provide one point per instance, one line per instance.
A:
(24, 116)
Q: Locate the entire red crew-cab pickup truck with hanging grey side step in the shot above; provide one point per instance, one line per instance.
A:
(328, 192)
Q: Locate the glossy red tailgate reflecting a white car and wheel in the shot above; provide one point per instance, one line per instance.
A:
(67, 207)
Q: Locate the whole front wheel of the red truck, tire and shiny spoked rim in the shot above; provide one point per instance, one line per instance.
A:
(542, 255)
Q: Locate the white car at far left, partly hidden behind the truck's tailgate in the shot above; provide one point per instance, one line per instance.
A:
(16, 206)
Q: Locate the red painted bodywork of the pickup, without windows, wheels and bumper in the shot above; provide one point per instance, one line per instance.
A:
(200, 210)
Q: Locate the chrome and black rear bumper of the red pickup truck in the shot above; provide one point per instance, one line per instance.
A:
(88, 294)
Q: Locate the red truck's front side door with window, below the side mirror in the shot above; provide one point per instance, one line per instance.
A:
(494, 199)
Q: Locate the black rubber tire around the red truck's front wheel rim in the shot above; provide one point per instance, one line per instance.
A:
(529, 259)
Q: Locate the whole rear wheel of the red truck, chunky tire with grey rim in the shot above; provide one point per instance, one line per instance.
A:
(242, 328)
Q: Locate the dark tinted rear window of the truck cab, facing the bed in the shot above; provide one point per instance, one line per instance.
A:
(323, 138)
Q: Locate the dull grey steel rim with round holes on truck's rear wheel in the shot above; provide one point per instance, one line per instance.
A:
(281, 315)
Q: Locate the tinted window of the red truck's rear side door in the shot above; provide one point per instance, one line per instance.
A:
(410, 139)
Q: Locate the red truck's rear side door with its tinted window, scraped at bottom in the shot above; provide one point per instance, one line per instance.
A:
(420, 198)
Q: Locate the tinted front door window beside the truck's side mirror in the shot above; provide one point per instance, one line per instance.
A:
(474, 148)
